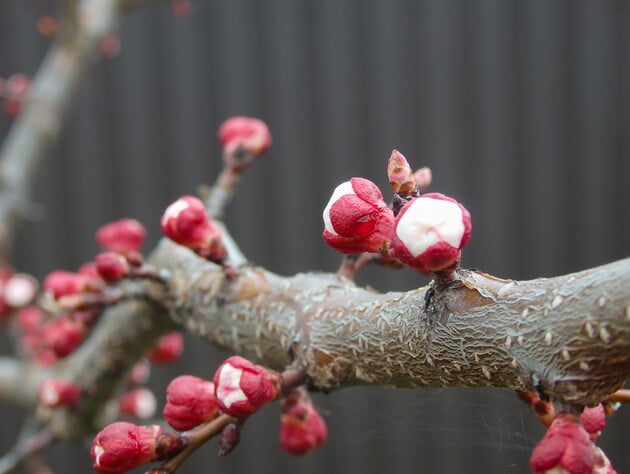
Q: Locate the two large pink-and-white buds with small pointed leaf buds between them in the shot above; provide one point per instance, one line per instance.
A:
(425, 232)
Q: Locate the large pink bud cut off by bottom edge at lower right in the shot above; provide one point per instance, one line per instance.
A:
(565, 447)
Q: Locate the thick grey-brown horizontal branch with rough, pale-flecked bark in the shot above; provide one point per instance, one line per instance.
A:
(567, 337)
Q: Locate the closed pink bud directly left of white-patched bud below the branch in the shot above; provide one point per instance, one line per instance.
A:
(189, 402)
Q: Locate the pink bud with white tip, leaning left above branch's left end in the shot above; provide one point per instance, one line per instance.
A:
(186, 223)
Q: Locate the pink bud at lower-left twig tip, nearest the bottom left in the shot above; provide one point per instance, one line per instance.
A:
(121, 447)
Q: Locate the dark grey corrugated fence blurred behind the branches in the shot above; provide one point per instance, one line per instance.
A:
(520, 108)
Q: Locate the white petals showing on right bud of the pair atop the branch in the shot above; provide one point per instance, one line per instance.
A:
(429, 221)
